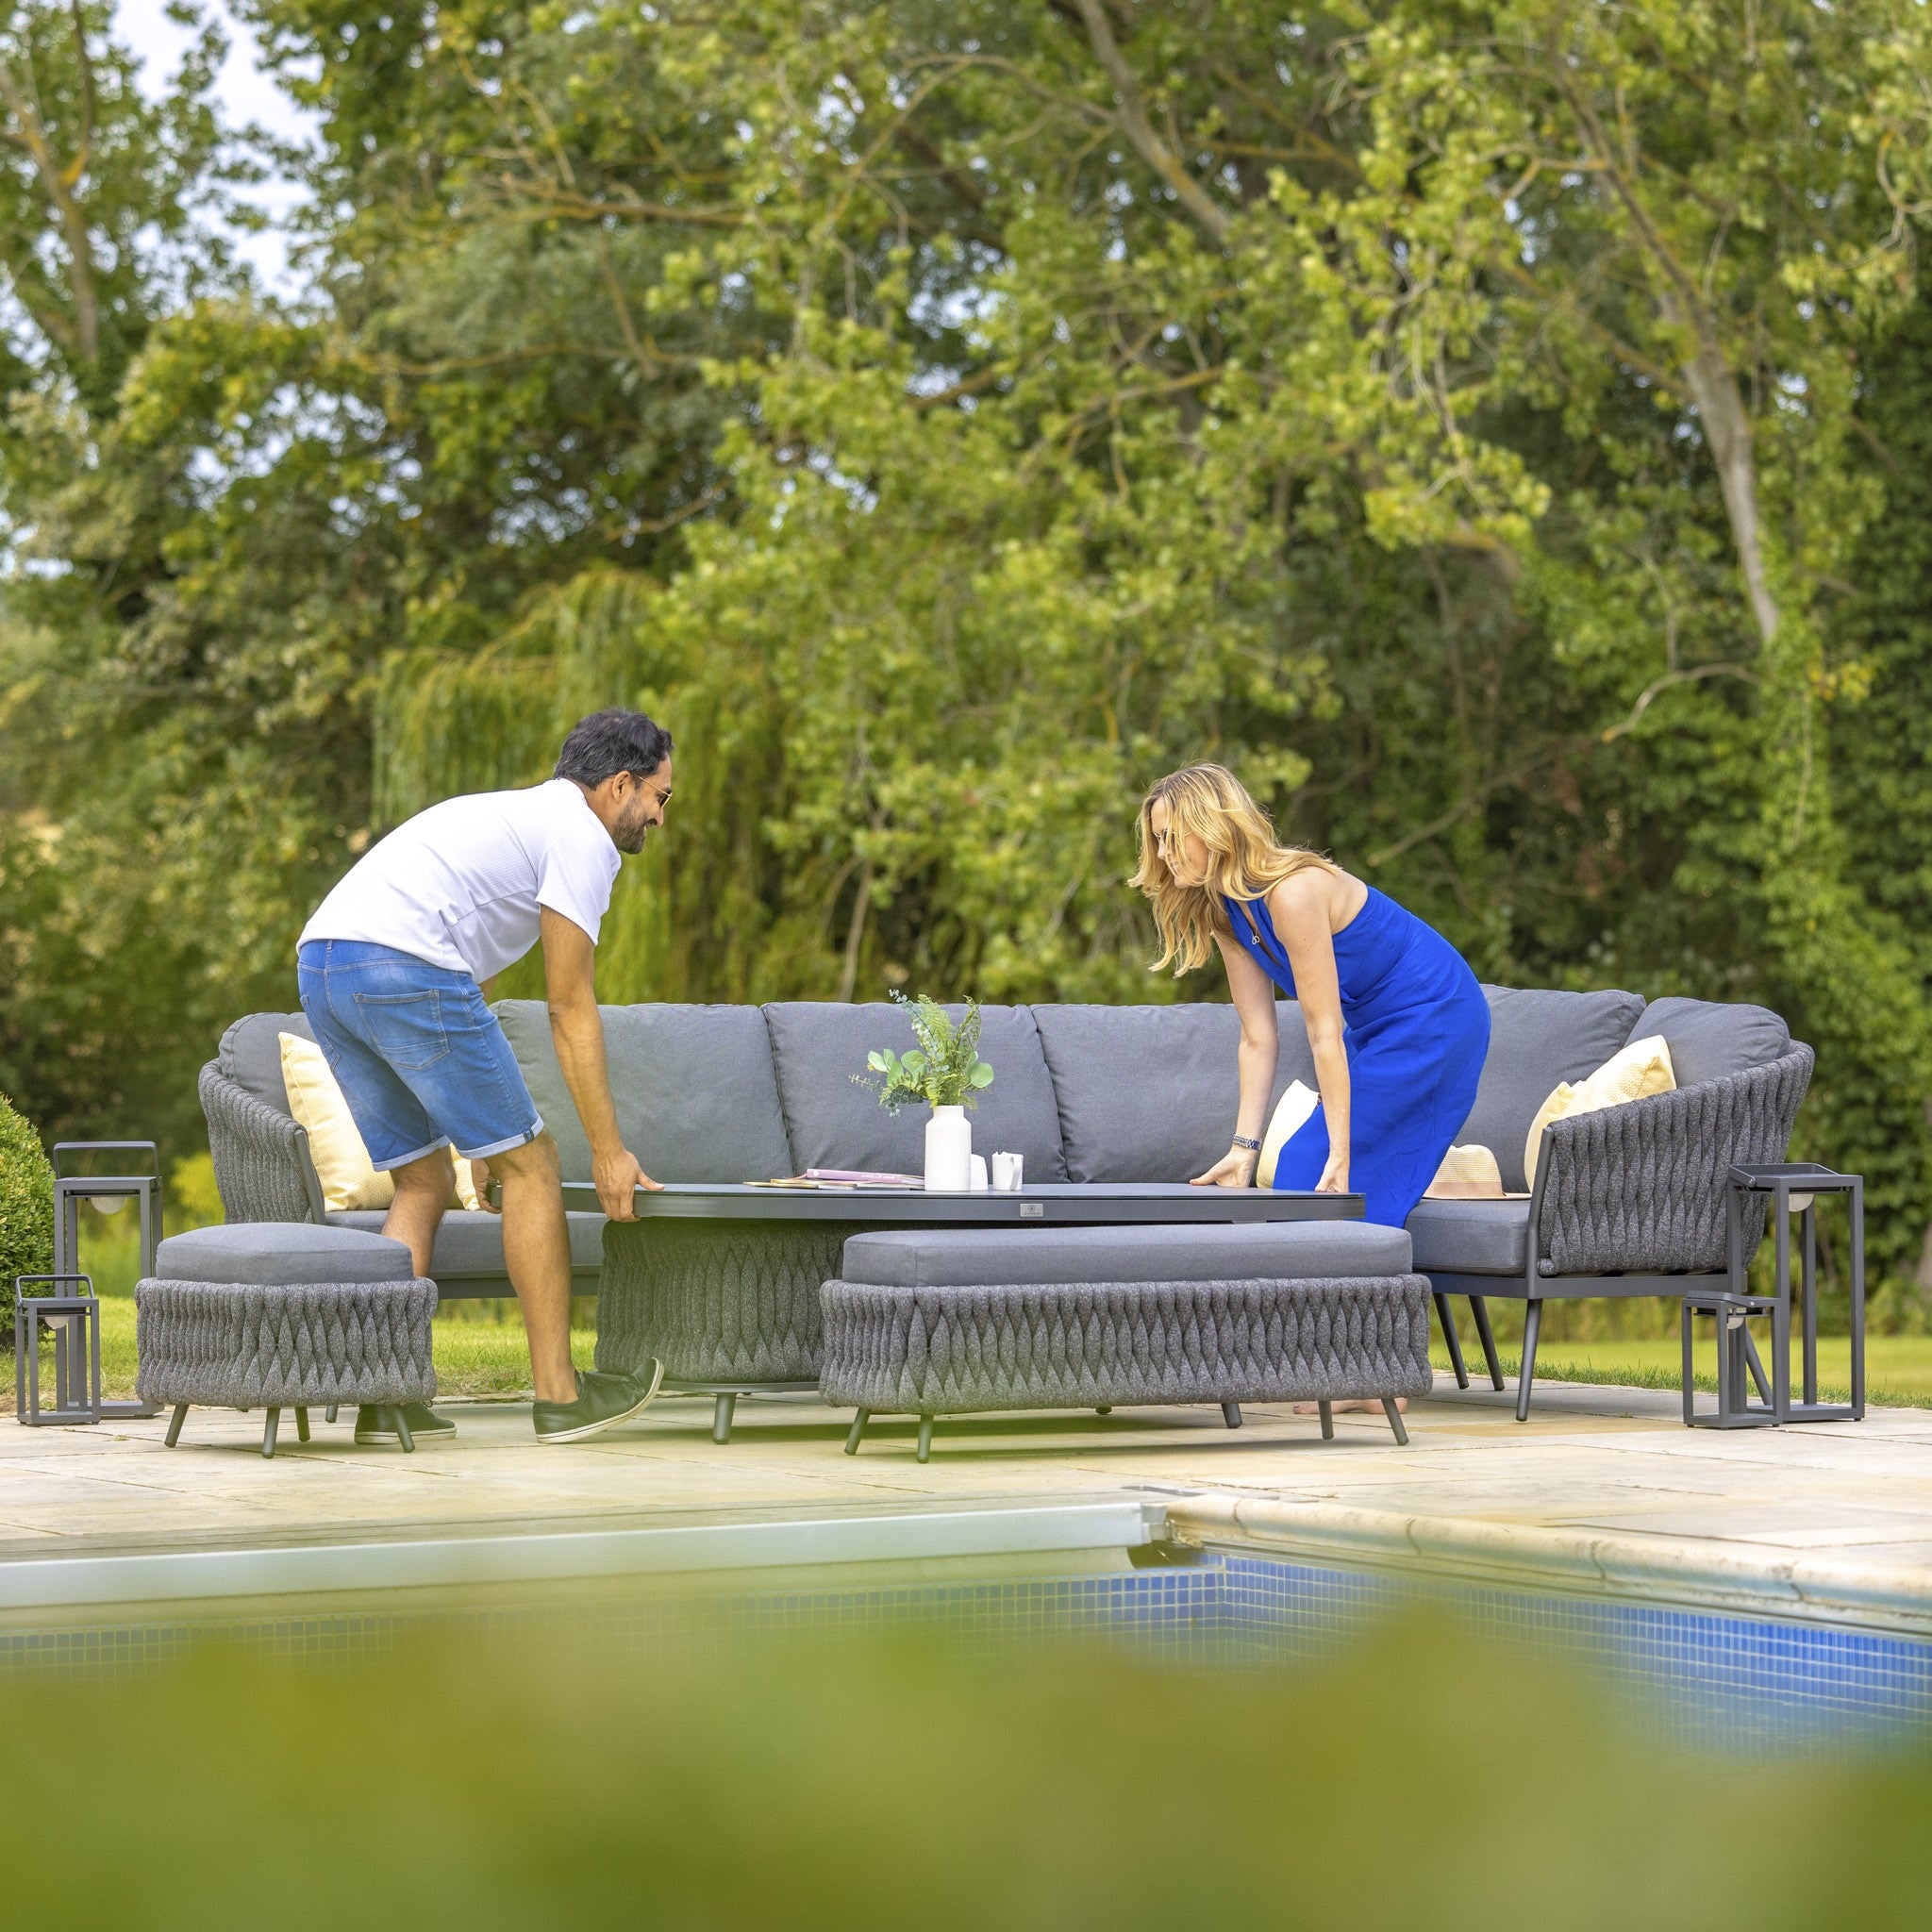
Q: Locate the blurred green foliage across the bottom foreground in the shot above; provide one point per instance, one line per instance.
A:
(897, 1780)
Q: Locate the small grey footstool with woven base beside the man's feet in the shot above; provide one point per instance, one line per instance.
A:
(285, 1315)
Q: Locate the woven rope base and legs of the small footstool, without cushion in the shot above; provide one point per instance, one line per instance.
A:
(246, 1346)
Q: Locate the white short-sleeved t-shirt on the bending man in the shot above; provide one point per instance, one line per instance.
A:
(461, 884)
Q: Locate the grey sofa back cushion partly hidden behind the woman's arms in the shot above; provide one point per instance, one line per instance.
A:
(1152, 1093)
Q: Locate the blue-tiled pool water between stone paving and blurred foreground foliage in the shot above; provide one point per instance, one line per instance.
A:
(1690, 1678)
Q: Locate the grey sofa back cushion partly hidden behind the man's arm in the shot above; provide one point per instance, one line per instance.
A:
(693, 1085)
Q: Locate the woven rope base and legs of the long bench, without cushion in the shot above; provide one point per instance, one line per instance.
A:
(1104, 1346)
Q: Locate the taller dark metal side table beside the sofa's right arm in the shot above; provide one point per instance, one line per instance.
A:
(1794, 1187)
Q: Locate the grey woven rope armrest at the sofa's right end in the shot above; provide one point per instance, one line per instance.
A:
(1641, 1187)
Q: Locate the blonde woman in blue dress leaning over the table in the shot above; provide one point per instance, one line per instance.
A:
(1394, 1015)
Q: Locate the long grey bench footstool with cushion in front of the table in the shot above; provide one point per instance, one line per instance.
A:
(936, 1322)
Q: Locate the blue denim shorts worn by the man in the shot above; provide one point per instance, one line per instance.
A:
(416, 1052)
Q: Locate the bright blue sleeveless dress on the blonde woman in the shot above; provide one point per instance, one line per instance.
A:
(1417, 1031)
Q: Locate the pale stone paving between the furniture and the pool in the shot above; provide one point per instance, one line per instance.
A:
(1603, 1491)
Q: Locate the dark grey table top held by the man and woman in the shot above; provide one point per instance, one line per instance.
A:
(1098, 1203)
